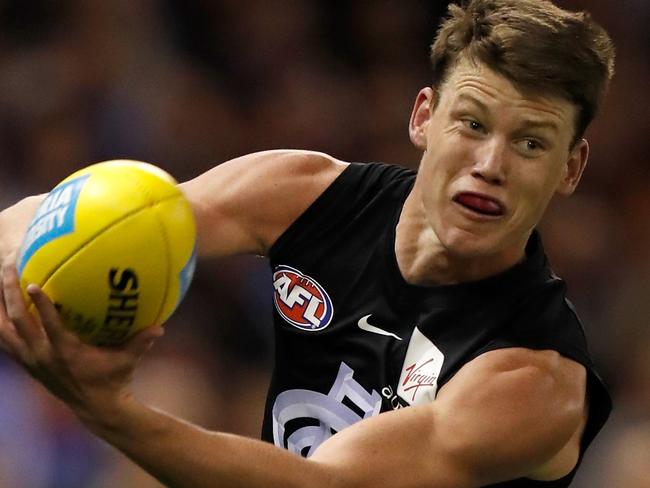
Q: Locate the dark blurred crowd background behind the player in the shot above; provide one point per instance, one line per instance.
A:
(187, 84)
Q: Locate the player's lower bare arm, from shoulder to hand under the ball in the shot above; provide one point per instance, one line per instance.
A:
(507, 414)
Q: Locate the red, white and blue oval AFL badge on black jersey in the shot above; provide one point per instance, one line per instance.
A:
(301, 300)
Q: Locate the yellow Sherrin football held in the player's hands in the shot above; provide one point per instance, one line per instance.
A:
(113, 246)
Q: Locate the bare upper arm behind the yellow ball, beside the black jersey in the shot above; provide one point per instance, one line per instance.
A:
(242, 206)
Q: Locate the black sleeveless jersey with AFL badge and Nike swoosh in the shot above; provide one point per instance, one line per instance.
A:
(354, 339)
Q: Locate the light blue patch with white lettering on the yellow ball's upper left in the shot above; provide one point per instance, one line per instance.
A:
(53, 219)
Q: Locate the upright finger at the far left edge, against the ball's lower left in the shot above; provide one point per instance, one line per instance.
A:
(26, 325)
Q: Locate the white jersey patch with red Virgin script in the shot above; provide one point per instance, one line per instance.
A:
(418, 382)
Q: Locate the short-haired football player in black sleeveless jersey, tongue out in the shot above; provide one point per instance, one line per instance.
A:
(422, 340)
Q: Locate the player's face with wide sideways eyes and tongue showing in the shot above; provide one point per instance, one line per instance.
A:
(493, 159)
